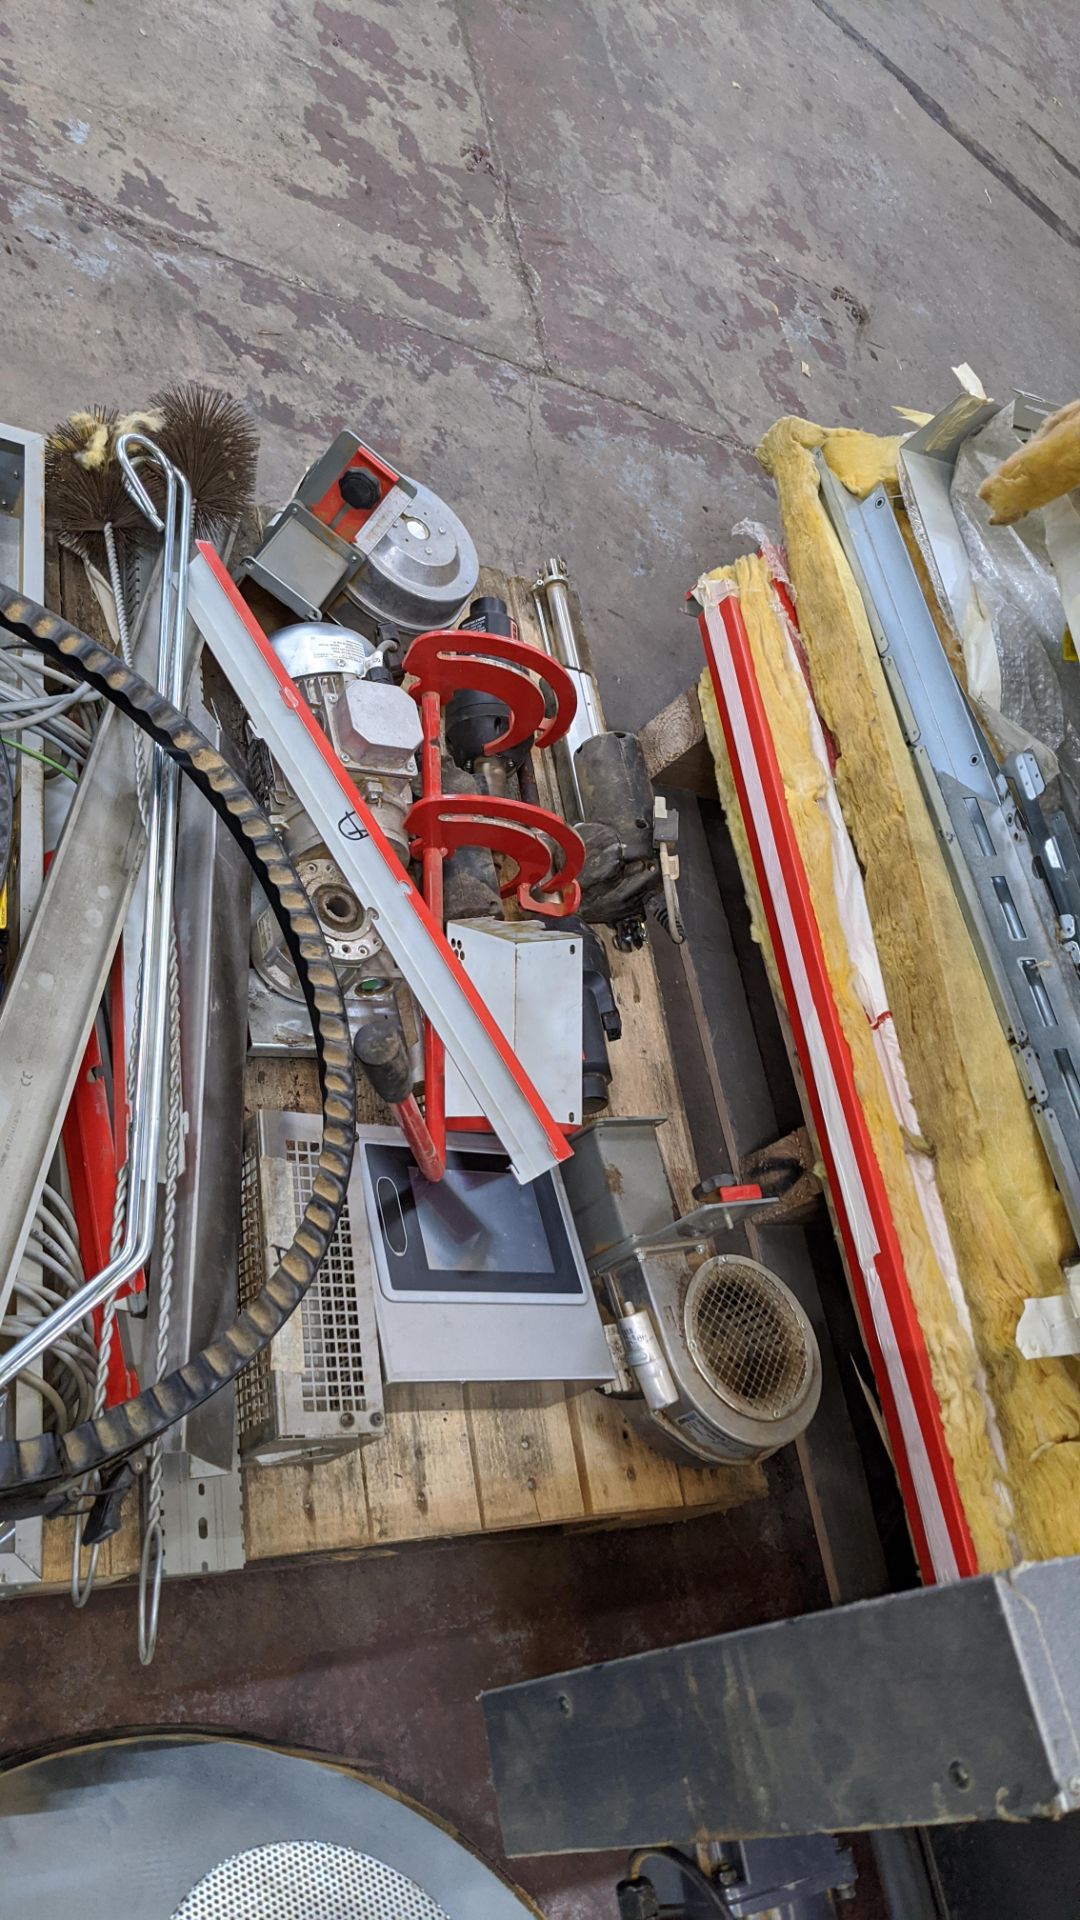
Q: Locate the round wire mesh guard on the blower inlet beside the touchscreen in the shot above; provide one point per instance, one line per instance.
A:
(747, 1339)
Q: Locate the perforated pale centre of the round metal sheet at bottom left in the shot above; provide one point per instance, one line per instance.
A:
(307, 1881)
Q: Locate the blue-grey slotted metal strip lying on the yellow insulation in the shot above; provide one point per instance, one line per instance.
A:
(979, 827)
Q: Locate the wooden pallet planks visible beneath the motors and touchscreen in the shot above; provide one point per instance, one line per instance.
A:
(481, 1458)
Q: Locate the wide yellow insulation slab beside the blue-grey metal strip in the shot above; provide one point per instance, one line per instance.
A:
(1004, 1214)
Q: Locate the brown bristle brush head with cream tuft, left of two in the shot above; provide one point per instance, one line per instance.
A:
(84, 485)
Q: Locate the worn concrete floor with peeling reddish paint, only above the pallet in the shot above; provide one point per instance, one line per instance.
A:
(562, 258)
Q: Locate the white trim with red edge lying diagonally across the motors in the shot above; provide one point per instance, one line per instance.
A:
(351, 830)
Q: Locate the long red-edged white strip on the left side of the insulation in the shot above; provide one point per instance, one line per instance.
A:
(875, 1260)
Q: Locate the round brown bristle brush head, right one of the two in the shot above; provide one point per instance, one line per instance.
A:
(212, 439)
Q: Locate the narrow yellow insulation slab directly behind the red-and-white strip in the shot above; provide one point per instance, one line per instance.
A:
(966, 1416)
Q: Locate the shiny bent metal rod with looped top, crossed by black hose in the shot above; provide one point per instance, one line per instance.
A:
(145, 1124)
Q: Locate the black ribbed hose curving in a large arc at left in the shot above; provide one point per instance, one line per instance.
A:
(39, 1477)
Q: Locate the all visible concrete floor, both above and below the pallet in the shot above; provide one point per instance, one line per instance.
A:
(564, 260)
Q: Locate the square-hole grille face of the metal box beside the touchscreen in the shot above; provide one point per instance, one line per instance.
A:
(333, 1355)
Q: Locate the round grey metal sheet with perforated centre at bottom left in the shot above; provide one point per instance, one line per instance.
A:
(176, 1829)
